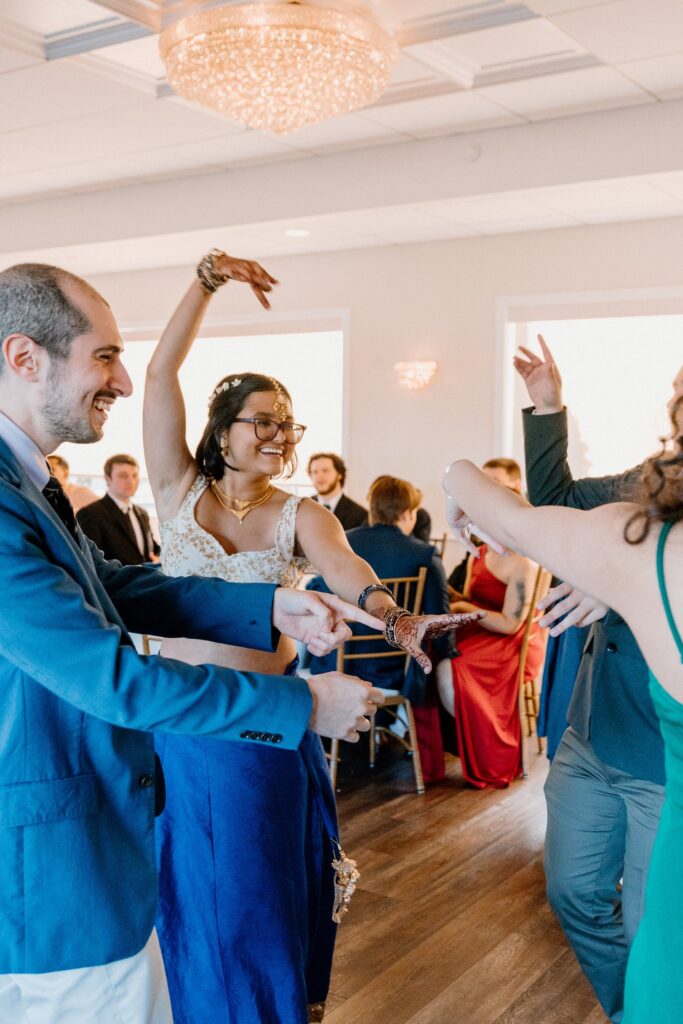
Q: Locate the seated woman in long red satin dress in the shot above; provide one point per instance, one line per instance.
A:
(481, 688)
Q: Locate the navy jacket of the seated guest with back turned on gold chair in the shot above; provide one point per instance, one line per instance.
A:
(393, 554)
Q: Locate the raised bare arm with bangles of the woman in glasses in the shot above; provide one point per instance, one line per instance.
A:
(168, 458)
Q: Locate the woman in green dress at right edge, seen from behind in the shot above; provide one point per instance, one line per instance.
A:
(629, 557)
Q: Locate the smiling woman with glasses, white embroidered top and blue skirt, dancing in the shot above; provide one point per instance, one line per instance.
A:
(249, 833)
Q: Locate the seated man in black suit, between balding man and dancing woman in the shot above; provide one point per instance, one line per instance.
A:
(120, 529)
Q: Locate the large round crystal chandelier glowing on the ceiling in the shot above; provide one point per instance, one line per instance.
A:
(278, 66)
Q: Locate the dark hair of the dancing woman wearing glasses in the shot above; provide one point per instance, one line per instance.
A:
(226, 405)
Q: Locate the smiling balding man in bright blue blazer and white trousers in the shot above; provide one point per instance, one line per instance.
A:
(78, 886)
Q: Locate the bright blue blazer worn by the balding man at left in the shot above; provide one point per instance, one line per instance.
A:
(78, 883)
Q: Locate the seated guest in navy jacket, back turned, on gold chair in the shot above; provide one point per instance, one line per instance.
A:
(388, 545)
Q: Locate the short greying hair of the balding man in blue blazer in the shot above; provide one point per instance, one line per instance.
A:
(33, 303)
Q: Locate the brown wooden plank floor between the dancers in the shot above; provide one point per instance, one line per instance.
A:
(450, 923)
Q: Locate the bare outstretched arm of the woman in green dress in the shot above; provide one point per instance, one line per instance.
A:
(584, 548)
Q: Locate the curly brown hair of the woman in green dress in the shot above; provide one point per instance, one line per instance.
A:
(661, 494)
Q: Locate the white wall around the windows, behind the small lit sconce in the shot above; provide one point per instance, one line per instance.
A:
(433, 301)
